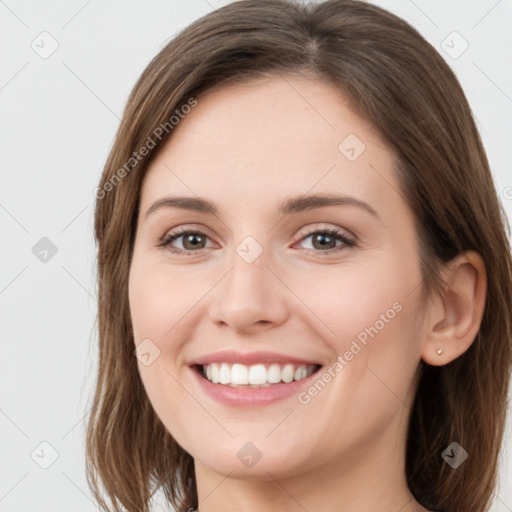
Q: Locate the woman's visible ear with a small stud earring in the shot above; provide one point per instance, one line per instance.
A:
(455, 317)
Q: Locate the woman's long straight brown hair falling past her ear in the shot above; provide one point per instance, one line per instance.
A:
(397, 81)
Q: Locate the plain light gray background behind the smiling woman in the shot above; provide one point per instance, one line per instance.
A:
(57, 123)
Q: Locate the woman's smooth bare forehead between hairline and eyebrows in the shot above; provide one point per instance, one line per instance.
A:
(269, 138)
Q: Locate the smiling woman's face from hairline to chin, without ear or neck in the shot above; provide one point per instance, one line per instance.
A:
(276, 284)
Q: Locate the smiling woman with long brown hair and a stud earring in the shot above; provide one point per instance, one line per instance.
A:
(304, 274)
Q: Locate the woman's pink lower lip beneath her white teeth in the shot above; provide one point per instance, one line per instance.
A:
(251, 397)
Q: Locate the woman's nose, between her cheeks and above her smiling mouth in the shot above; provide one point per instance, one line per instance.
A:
(250, 297)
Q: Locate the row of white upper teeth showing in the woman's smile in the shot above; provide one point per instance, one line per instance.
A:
(257, 375)
